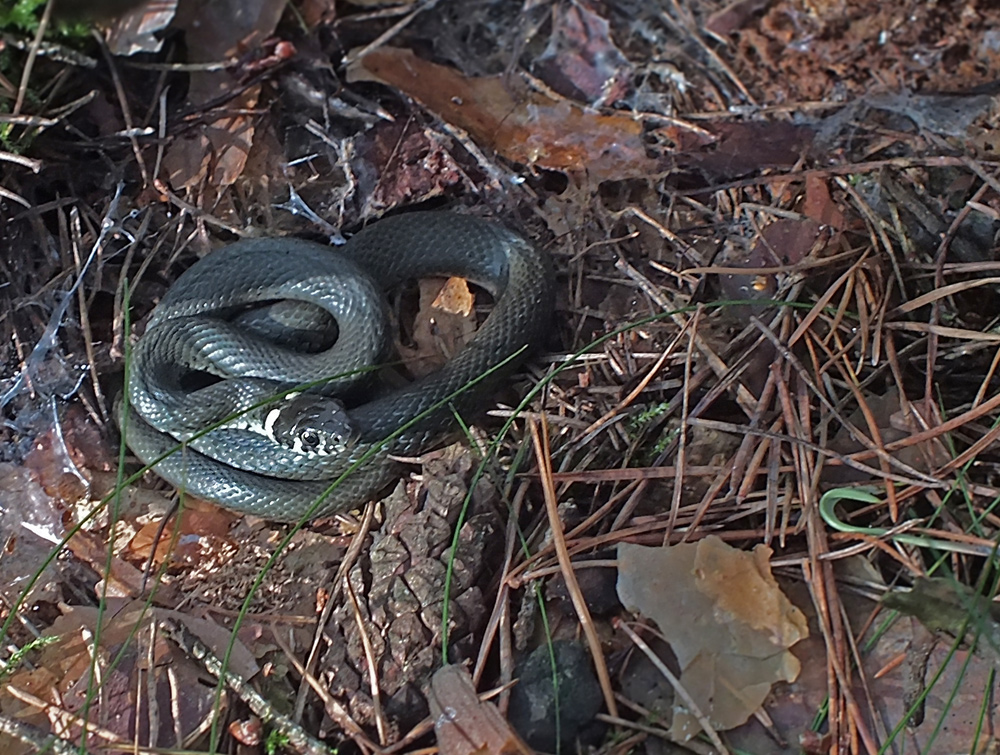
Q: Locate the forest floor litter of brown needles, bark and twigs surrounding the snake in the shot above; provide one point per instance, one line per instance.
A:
(775, 233)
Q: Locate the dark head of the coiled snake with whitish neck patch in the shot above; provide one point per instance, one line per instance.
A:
(312, 425)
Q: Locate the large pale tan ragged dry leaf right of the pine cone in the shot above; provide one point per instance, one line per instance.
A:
(727, 622)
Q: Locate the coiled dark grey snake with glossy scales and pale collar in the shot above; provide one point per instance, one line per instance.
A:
(280, 404)
